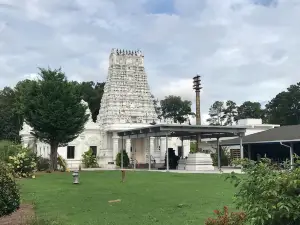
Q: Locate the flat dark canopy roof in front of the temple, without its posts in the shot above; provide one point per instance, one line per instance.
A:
(185, 131)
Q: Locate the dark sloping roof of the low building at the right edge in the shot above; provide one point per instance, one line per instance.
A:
(279, 134)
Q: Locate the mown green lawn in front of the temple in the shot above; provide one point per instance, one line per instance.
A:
(146, 197)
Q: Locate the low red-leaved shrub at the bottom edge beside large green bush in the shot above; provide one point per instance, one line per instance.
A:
(224, 218)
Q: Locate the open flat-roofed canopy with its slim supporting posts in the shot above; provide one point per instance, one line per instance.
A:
(185, 132)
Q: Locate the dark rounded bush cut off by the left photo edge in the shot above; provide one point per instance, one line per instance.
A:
(9, 192)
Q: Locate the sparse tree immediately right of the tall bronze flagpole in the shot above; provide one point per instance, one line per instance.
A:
(216, 114)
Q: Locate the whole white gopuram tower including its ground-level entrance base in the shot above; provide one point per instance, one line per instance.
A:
(126, 101)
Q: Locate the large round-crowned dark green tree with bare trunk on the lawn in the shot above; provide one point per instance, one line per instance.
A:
(52, 107)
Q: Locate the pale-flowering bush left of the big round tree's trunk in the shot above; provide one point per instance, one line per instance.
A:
(23, 163)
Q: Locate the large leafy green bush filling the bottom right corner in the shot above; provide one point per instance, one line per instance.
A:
(267, 195)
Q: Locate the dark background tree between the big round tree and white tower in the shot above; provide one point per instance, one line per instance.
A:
(92, 93)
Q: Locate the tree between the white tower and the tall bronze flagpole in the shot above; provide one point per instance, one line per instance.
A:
(175, 108)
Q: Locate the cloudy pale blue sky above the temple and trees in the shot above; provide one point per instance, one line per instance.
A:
(243, 49)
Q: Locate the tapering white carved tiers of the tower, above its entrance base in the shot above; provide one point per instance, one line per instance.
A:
(127, 98)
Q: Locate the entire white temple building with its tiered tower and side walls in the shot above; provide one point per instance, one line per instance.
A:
(126, 104)
